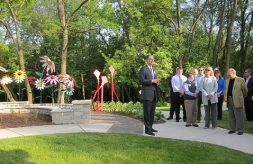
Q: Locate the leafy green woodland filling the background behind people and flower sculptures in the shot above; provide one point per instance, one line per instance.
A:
(83, 35)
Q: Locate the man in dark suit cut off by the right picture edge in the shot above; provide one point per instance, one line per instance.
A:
(248, 100)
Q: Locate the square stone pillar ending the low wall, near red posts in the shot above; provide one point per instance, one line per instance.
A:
(82, 111)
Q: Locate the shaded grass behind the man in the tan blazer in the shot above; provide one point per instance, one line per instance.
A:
(224, 123)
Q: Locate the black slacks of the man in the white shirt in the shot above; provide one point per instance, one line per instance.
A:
(176, 100)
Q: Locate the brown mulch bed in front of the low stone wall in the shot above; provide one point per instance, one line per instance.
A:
(13, 120)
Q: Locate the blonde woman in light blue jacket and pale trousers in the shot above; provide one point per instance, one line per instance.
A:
(209, 87)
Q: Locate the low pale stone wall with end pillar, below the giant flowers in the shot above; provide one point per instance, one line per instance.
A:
(77, 112)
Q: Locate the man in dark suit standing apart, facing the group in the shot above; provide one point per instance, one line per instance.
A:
(149, 81)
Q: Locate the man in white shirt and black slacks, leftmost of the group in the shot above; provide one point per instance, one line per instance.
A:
(177, 99)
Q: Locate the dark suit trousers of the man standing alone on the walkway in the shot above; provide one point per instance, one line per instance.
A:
(149, 113)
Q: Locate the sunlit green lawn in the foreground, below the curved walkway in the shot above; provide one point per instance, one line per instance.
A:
(113, 148)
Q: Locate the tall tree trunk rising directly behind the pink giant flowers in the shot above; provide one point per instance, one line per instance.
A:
(63, 52)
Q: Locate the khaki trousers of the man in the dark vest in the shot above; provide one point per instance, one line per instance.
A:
(191, 108)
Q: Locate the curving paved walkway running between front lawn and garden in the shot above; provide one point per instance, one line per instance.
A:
(110, 123)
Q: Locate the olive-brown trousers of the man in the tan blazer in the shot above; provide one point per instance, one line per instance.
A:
(236, 121)
